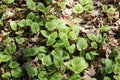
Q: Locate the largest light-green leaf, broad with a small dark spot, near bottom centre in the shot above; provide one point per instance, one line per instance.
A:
(77, 64)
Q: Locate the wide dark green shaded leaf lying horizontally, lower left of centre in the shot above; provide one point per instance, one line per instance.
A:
(30, 51)
